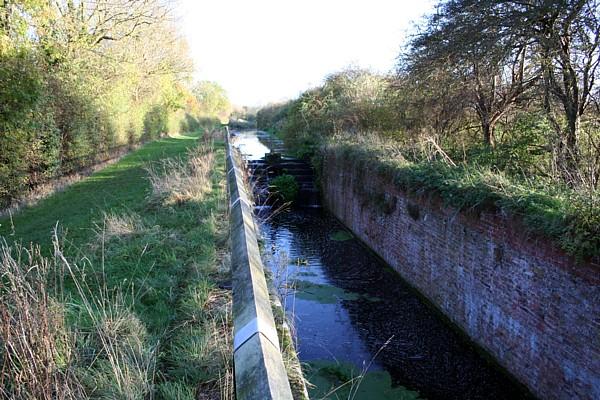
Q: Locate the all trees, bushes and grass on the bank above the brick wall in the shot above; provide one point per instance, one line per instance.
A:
(493, 105)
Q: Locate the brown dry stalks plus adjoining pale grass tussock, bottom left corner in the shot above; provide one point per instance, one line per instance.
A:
(43, 357)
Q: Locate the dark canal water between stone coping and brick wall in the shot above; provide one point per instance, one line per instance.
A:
(361, 331)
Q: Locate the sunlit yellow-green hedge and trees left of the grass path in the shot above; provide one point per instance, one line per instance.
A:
(82, 80)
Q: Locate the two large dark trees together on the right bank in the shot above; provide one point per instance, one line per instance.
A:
(557, 40)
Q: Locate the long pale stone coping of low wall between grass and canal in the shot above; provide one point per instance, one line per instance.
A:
(259, 370)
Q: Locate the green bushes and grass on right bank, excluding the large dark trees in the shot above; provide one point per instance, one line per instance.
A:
(420, 130)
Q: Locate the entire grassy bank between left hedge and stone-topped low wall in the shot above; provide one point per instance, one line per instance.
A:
(131, 307)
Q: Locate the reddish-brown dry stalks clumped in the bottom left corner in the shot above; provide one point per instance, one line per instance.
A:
(36, 347)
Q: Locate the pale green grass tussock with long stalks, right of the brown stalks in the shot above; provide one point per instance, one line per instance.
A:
(115, 357)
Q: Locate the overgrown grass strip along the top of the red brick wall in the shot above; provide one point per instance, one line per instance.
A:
(569, 217)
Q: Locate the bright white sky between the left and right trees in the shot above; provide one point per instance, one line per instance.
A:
(269, 50)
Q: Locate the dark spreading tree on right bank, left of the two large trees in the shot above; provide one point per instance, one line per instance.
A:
(464, 39)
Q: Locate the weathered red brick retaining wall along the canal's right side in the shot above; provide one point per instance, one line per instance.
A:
(530, 305)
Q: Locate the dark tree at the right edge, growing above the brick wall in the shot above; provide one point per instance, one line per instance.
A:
(567, 36)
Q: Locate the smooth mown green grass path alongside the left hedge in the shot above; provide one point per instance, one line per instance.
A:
(119, 187)
